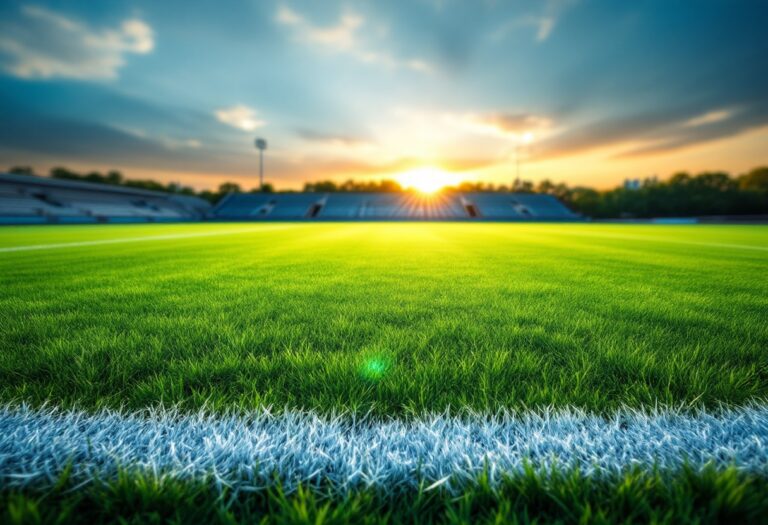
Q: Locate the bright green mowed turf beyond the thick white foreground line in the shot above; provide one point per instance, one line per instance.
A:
(394, 318)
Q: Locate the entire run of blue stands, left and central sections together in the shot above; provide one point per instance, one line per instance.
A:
(26, 199)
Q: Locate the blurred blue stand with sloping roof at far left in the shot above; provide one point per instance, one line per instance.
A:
(27, 199)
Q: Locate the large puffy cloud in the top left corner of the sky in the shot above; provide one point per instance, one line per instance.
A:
(42, 44)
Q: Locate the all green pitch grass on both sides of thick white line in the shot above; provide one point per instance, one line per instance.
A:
(390, 320)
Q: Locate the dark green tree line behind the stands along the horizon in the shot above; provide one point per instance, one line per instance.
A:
(683, 194)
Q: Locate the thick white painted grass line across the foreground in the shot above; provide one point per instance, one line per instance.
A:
(245, 452)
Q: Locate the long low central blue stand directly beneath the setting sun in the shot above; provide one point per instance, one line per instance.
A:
(392, 206)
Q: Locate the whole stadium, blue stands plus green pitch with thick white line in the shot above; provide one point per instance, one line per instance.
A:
(164, 352)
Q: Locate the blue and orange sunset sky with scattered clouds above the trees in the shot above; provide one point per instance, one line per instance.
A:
(587, 92)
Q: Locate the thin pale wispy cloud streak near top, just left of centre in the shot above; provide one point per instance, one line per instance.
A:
(344, 37)
